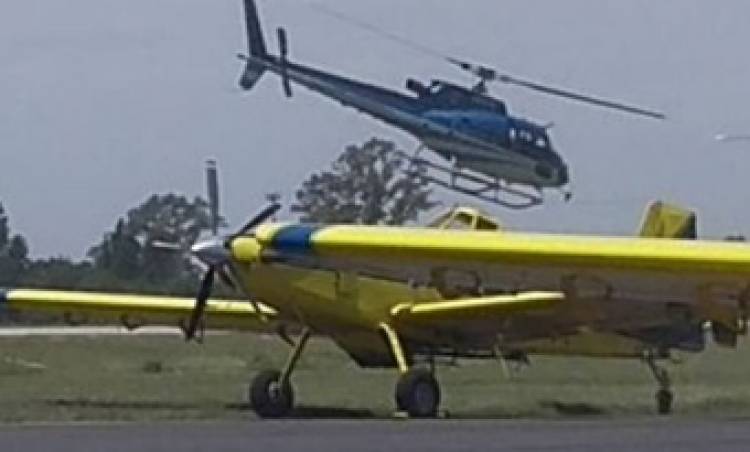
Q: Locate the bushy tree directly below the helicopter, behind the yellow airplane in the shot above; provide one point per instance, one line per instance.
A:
(366, 185)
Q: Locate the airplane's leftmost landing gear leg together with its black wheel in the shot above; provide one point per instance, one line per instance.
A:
(271, 392)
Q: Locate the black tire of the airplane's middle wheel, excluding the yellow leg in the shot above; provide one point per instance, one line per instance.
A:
(418, 393)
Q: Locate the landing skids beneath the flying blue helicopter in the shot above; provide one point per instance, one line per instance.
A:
(486, 189)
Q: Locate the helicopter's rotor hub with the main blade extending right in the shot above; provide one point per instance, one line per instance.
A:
(488, 74)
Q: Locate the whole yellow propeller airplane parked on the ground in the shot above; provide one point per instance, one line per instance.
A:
(403, 297)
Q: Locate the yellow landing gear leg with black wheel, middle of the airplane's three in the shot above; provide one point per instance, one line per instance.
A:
(417, 390)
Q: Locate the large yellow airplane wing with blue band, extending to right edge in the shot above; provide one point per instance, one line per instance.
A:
(712, 278)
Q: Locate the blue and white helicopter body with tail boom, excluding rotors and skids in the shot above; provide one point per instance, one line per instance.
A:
(469, 129)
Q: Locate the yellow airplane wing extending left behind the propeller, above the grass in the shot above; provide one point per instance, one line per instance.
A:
(138, 310)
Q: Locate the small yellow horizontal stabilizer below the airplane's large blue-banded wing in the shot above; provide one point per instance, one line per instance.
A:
(478, 307)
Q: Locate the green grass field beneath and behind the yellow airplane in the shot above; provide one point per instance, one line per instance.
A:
(162, 378)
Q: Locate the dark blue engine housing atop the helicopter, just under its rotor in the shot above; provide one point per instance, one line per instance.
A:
(444, 95)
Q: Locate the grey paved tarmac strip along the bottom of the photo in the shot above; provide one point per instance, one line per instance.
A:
(647, 434)
